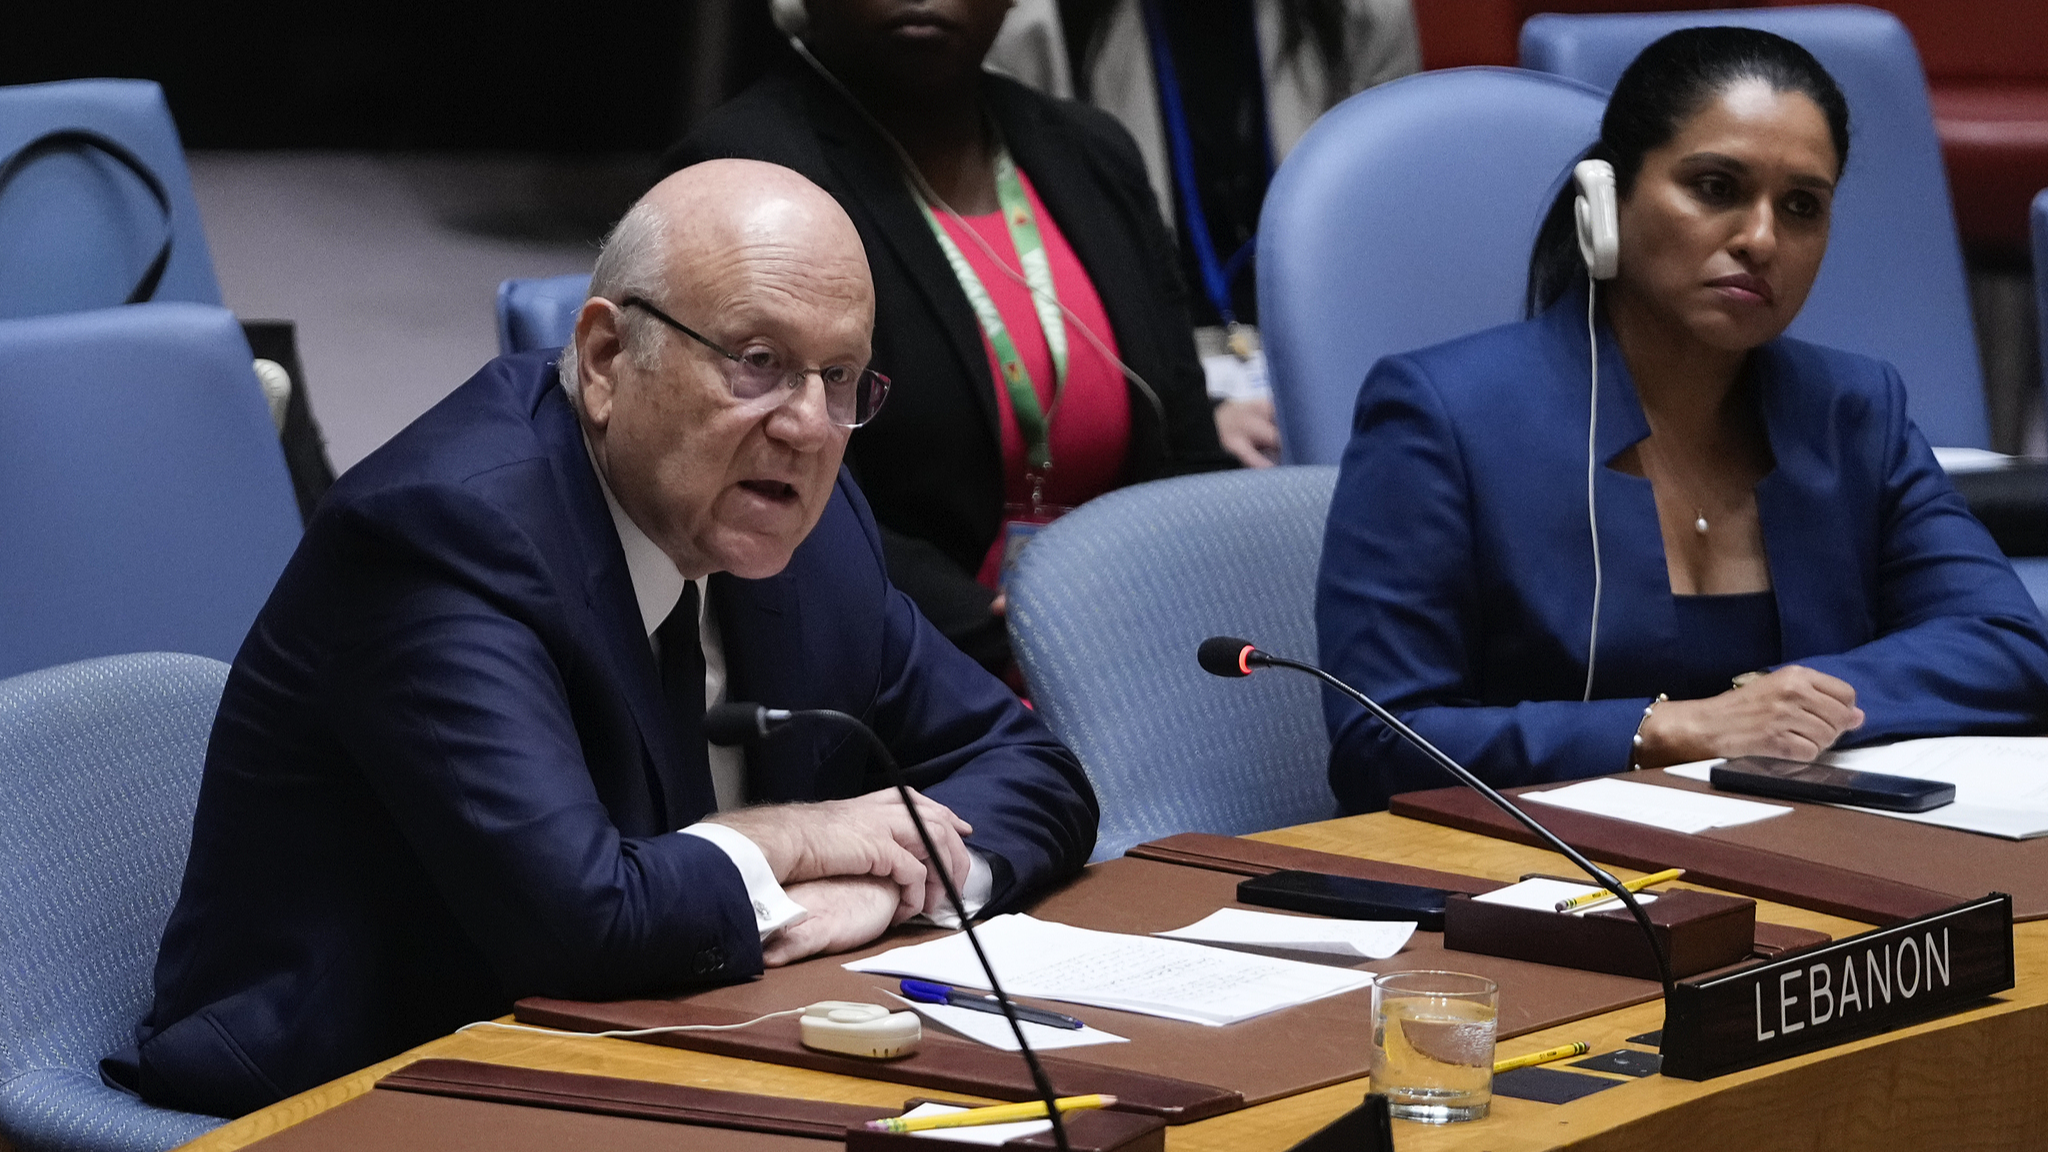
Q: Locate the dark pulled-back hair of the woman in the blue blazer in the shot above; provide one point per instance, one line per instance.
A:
(1660, 91)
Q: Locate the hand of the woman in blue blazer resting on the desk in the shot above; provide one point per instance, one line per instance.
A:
(1793, 714)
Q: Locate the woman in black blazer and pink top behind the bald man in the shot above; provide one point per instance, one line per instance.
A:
(949, 466)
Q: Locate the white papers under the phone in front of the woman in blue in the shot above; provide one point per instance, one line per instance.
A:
(2002, 782)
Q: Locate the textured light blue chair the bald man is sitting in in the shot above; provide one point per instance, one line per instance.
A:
(99, 774)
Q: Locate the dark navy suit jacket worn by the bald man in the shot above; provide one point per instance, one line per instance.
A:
(433, 790)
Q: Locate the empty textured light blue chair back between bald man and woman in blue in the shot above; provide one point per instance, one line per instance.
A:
(1107, 610)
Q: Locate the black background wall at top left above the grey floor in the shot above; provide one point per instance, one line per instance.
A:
(409, 75)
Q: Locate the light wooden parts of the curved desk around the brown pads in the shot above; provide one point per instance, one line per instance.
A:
(1961, 1083)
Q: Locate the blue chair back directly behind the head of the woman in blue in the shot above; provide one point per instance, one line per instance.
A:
(1893, 282)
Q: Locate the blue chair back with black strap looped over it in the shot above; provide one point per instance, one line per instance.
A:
(77, 227)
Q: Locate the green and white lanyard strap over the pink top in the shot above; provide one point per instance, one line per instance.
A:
(1033, 421)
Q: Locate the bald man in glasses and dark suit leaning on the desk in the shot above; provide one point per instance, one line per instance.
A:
(460, 757)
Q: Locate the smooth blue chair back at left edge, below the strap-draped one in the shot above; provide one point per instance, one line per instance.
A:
(144, 501)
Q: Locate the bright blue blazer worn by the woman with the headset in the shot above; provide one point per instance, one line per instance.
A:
(1457, 579)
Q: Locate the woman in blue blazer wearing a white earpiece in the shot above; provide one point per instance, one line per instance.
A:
(1781, 563)
